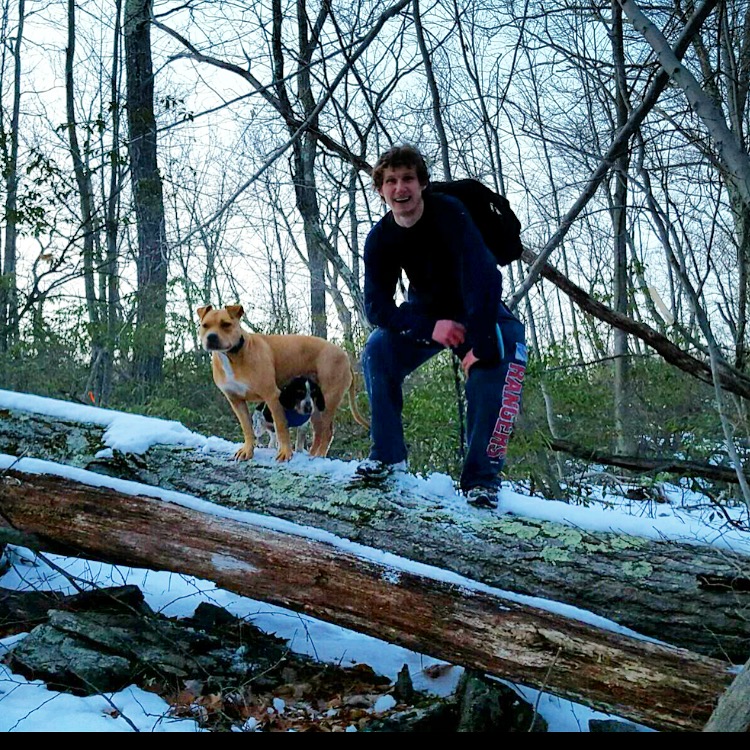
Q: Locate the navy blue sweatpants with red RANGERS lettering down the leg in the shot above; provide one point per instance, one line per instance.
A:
(493, 395)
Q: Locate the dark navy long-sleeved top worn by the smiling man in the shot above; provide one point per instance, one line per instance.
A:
(452, 275)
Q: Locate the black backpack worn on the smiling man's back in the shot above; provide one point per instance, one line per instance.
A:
(495, 220)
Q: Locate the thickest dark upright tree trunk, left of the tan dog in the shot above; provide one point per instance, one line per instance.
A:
(150, 328)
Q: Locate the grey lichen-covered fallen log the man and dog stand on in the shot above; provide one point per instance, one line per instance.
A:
(691, 596)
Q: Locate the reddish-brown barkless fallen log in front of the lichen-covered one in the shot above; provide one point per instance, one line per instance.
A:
(657, 685)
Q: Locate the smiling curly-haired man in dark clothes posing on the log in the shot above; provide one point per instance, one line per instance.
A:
(454, 301)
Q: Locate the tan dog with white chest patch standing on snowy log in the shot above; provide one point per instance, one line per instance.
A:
(252, 367)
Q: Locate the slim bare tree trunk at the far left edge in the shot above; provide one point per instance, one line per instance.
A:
(9, 323)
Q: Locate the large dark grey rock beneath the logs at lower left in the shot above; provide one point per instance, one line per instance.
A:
(116, 640)
